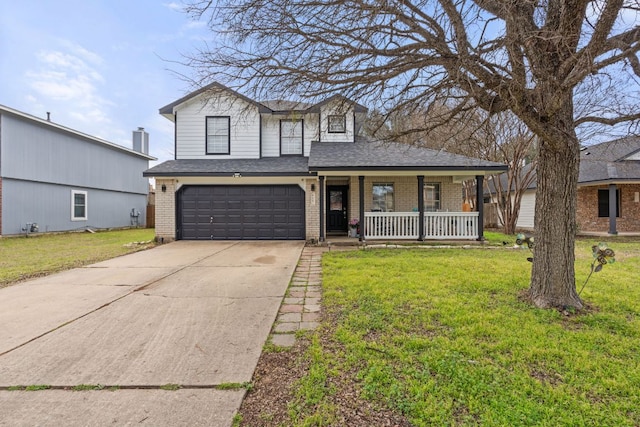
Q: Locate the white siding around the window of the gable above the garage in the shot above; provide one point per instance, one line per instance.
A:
(244, 128)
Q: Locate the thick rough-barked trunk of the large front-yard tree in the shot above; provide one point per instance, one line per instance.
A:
(553, 273)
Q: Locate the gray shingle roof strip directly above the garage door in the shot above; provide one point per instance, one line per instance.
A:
(268, 166)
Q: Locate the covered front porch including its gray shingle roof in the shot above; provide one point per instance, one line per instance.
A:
(393, 191)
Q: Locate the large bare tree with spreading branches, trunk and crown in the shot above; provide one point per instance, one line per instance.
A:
(529, 57)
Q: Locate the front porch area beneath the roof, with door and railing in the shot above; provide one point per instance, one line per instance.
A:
(398, 207)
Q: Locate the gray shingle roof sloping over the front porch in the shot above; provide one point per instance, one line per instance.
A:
(385, 156)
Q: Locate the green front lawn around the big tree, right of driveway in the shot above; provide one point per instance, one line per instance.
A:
(441, 336)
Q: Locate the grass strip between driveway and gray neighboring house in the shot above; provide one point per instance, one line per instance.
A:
(23, 258)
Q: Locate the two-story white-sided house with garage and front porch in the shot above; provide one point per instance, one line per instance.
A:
(245, 169)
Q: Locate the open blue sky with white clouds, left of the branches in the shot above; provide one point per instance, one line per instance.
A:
(101, 67)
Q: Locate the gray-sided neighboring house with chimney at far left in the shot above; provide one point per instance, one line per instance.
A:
(62, 179)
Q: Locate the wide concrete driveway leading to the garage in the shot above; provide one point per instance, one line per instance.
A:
(194, 314)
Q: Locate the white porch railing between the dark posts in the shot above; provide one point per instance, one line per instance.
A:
(437, 225)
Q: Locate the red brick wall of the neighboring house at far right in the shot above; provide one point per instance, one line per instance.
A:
(587, 210)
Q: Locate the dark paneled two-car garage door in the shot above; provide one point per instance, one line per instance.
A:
(241, 212)
